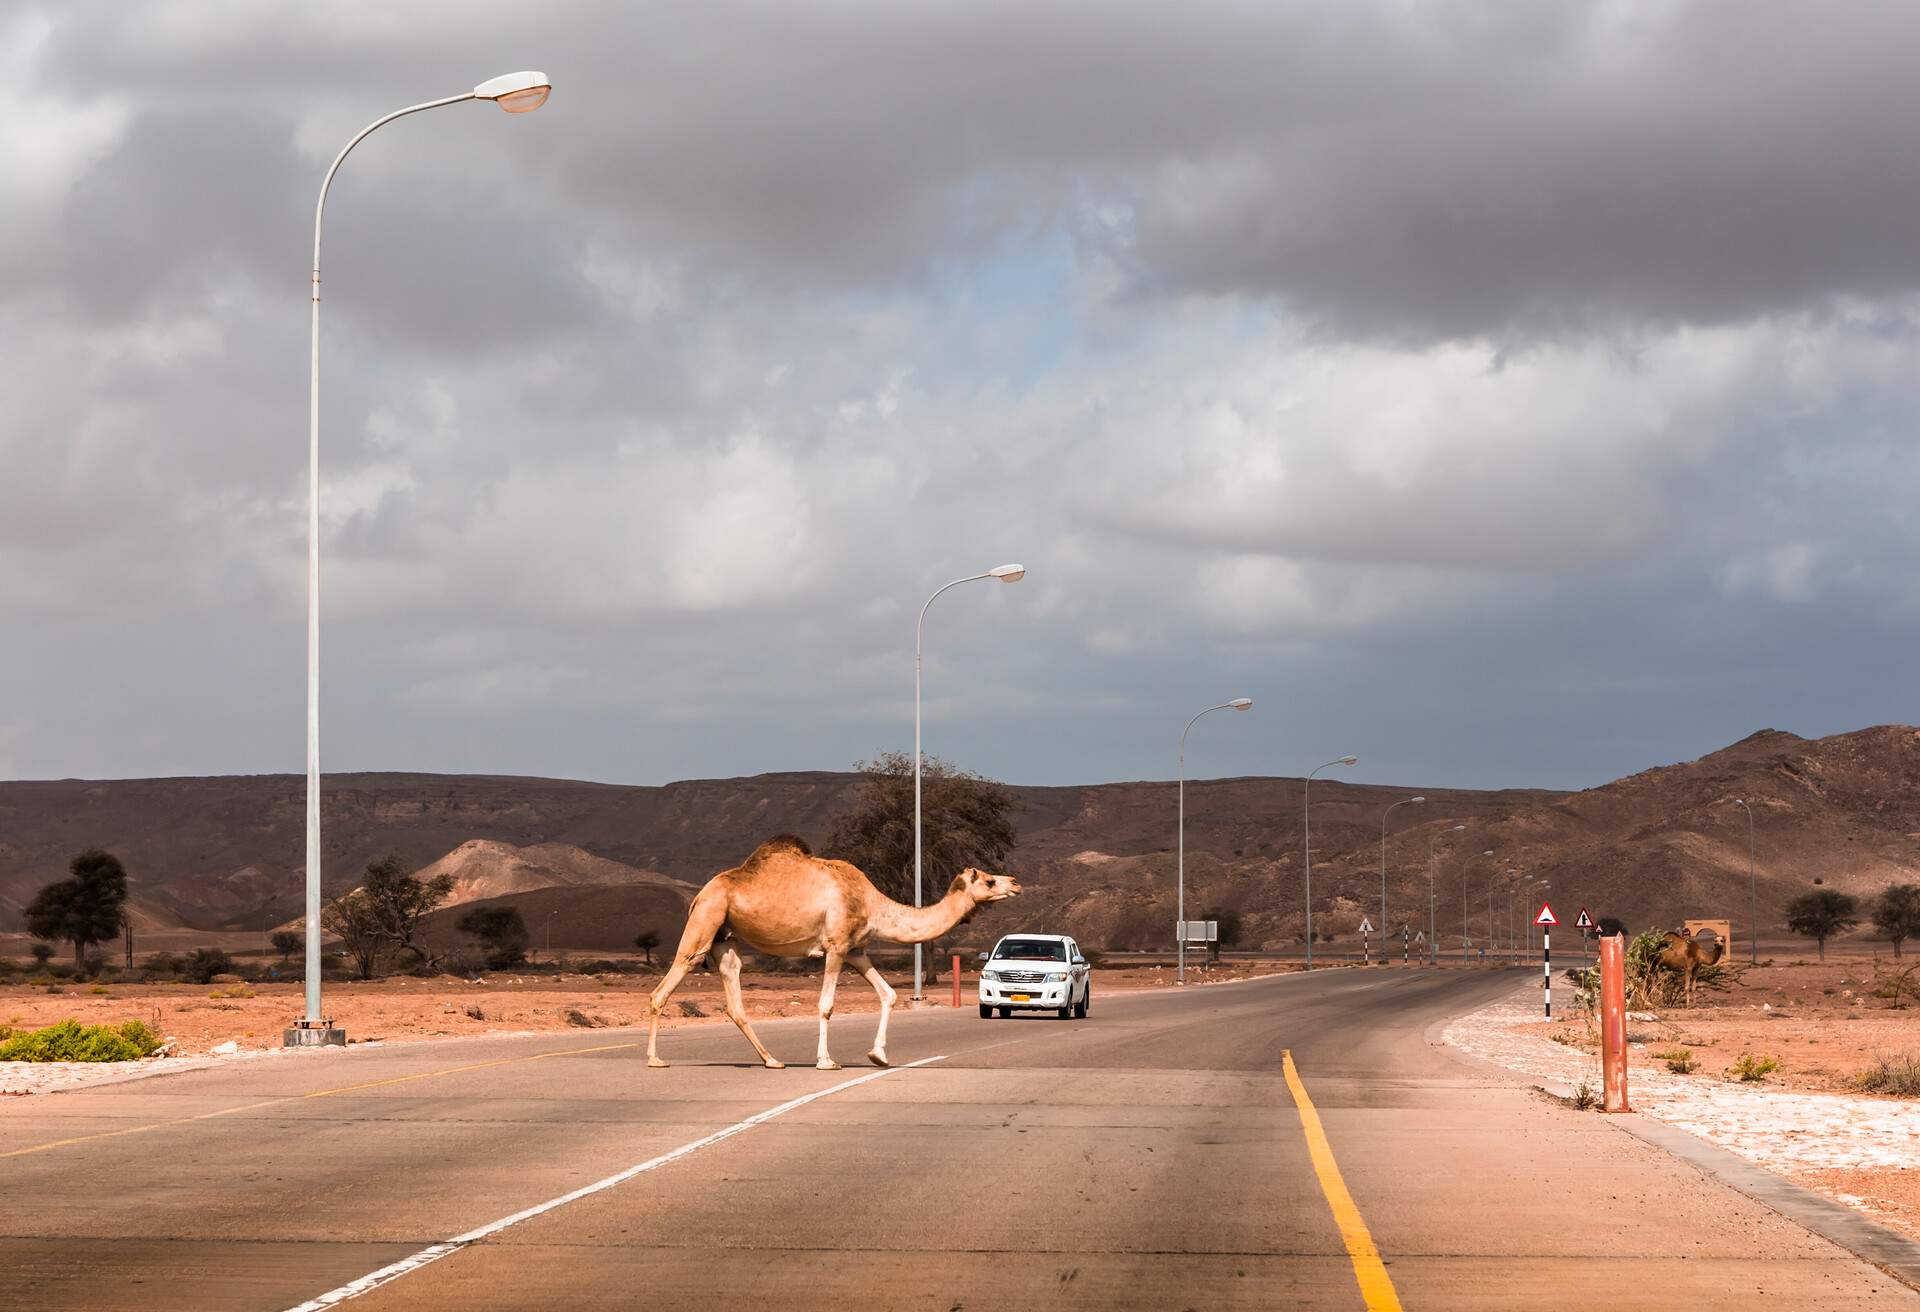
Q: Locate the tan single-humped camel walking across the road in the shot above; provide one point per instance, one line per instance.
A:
(790, 904)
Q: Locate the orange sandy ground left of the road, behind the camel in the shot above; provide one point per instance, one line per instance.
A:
(252, 1015)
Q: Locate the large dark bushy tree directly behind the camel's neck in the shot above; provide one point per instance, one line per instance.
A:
(967, 821)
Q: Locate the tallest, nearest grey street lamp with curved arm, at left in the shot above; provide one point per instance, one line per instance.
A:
(516, 93)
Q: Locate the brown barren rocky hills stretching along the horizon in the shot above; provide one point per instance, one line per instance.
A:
(224, 854)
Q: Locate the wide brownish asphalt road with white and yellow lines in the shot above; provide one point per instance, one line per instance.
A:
(1149, 1157)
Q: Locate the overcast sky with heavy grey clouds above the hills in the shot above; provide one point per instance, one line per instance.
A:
(1508, 395)
